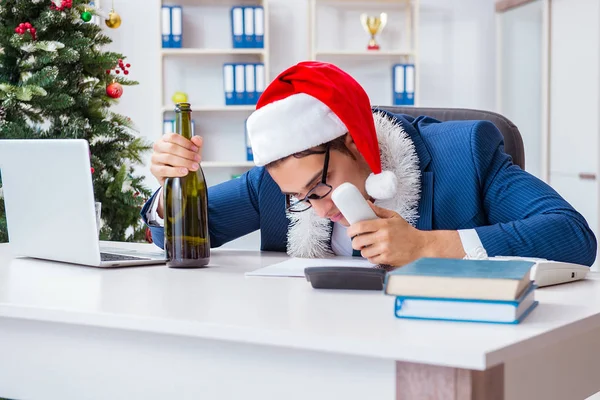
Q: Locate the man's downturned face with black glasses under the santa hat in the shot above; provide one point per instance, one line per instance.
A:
(297, 176)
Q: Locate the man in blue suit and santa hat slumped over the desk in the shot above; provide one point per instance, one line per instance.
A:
(441, 189)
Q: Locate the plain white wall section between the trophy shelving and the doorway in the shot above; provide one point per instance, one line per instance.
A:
(458, 60)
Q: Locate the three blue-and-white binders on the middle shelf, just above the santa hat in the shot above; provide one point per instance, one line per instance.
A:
(243, 83)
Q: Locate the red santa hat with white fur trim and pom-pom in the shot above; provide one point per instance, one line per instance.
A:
(310, 104)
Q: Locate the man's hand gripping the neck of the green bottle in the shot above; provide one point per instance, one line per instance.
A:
(174, 156)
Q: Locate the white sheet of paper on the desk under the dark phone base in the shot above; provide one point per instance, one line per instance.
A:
(295, 266)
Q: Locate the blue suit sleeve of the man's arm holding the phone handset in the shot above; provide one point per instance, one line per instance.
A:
(526, 216)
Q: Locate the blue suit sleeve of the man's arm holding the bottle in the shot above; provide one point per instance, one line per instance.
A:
(233, 209)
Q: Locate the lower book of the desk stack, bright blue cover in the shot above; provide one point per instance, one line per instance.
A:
(467, 310)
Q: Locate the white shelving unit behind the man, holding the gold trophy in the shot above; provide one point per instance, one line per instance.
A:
(399, 41)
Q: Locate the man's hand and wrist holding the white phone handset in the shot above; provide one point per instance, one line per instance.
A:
(390, 240)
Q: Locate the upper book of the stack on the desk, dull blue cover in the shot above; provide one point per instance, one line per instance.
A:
(458, 278)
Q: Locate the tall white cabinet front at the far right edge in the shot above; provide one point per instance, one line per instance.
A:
(574, 104)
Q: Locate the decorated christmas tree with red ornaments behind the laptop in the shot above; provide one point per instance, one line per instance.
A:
(57, 82)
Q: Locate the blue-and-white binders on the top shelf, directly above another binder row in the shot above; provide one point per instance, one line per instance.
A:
(247, 27)
